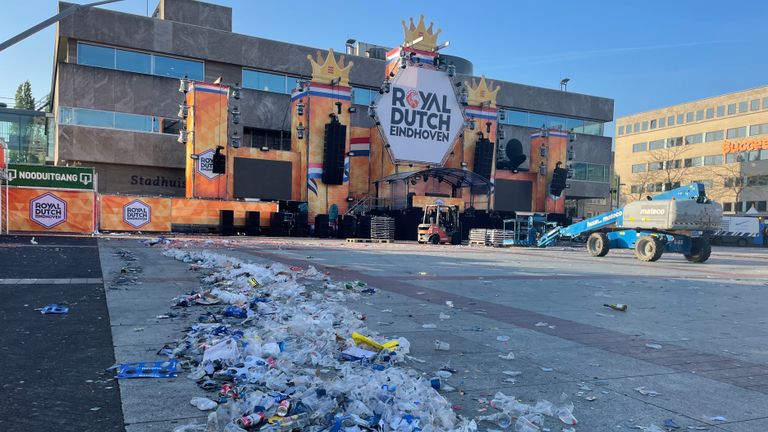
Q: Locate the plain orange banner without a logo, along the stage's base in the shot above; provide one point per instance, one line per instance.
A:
(206, 212)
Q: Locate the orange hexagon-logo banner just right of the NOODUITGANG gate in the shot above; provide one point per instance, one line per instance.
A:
(134, 213)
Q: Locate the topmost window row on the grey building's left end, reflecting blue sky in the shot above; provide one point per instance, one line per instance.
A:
(139, 62)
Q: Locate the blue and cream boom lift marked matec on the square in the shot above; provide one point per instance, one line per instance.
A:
(678, 220)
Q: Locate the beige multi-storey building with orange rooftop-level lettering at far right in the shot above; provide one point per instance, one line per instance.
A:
(720, 141)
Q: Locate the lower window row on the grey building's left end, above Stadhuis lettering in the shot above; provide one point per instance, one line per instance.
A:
(118, 120)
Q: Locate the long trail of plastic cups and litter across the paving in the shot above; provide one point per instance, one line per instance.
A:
(278, 350)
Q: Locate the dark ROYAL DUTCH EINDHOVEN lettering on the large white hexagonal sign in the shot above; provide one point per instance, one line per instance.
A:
(420, 115)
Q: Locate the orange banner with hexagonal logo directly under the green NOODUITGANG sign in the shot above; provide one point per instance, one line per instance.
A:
(50, 210)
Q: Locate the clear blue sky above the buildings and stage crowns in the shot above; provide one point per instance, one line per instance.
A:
(644, 55)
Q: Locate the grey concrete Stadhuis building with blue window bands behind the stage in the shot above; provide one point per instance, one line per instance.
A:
(115, 95)
